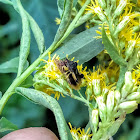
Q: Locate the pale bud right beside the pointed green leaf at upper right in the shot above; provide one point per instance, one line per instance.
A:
(130, 49)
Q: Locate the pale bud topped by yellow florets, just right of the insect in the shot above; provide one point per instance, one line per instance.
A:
(96, 87)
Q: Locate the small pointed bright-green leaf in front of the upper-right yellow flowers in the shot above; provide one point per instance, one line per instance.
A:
(111, 49)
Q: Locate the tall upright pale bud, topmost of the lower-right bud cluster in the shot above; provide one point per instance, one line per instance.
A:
(127, 88)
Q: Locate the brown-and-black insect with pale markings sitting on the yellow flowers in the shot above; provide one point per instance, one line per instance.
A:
(70, 71)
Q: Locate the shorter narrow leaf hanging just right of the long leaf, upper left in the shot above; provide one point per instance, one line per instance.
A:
(37, 34)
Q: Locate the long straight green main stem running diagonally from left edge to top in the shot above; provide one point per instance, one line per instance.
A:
(32, 67)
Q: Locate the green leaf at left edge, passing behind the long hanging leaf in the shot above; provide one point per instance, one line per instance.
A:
(11, 66)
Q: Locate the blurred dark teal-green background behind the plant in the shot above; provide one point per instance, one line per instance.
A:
(19, 110)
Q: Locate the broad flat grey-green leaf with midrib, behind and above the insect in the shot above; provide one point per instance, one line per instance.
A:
(82, 46)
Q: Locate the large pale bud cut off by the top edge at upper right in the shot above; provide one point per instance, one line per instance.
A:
(120, 8)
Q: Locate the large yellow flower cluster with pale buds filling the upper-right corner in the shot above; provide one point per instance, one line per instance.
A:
(122, 23)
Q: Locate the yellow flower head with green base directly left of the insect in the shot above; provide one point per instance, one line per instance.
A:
(48, 78)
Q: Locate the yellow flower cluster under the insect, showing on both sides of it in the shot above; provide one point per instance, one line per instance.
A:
(50, 78)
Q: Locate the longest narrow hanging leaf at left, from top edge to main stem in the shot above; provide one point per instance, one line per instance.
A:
(25, 39)
